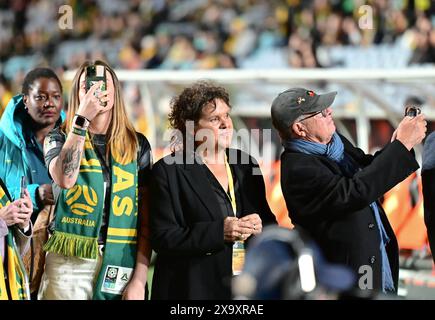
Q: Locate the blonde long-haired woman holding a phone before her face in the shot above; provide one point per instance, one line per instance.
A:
(100, 166)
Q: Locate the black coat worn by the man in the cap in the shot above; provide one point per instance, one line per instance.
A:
(335, 209)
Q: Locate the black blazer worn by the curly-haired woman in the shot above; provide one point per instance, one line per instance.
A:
(186, 224)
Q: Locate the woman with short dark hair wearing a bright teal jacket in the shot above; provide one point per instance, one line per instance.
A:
(28, 118)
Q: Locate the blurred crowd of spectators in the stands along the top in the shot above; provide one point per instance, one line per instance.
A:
(206, 34)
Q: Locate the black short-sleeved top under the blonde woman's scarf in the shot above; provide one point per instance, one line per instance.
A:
(144, 162)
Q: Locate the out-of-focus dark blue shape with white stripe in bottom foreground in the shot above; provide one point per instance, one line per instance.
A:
(286, 264)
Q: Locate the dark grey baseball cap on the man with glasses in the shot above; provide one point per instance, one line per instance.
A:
(292, 103)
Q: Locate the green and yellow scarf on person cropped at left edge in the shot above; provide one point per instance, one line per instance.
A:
(17, 285)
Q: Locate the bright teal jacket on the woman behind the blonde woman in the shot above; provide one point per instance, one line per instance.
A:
(13, 158)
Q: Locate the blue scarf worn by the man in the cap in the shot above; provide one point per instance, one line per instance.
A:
(334, 150)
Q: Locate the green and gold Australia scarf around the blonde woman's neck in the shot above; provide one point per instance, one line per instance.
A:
(79, 212)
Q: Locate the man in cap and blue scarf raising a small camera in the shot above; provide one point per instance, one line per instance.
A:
(332, 188)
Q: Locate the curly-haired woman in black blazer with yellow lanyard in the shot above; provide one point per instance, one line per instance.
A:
(207, 202)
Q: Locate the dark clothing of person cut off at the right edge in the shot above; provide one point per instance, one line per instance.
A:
(428, 181)
